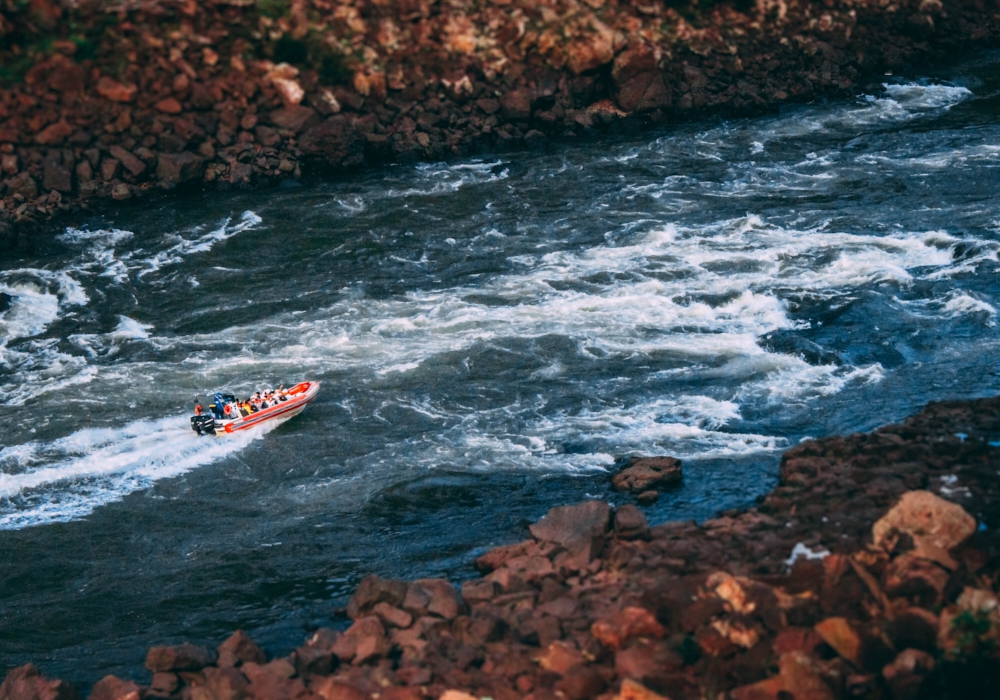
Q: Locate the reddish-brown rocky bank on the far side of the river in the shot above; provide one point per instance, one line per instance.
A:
(105, 100)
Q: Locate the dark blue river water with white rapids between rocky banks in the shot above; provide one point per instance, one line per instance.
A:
(490, 335)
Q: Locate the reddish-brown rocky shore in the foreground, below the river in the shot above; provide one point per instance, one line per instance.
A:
(870, 571)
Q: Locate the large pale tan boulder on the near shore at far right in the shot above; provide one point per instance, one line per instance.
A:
(928, 519)
